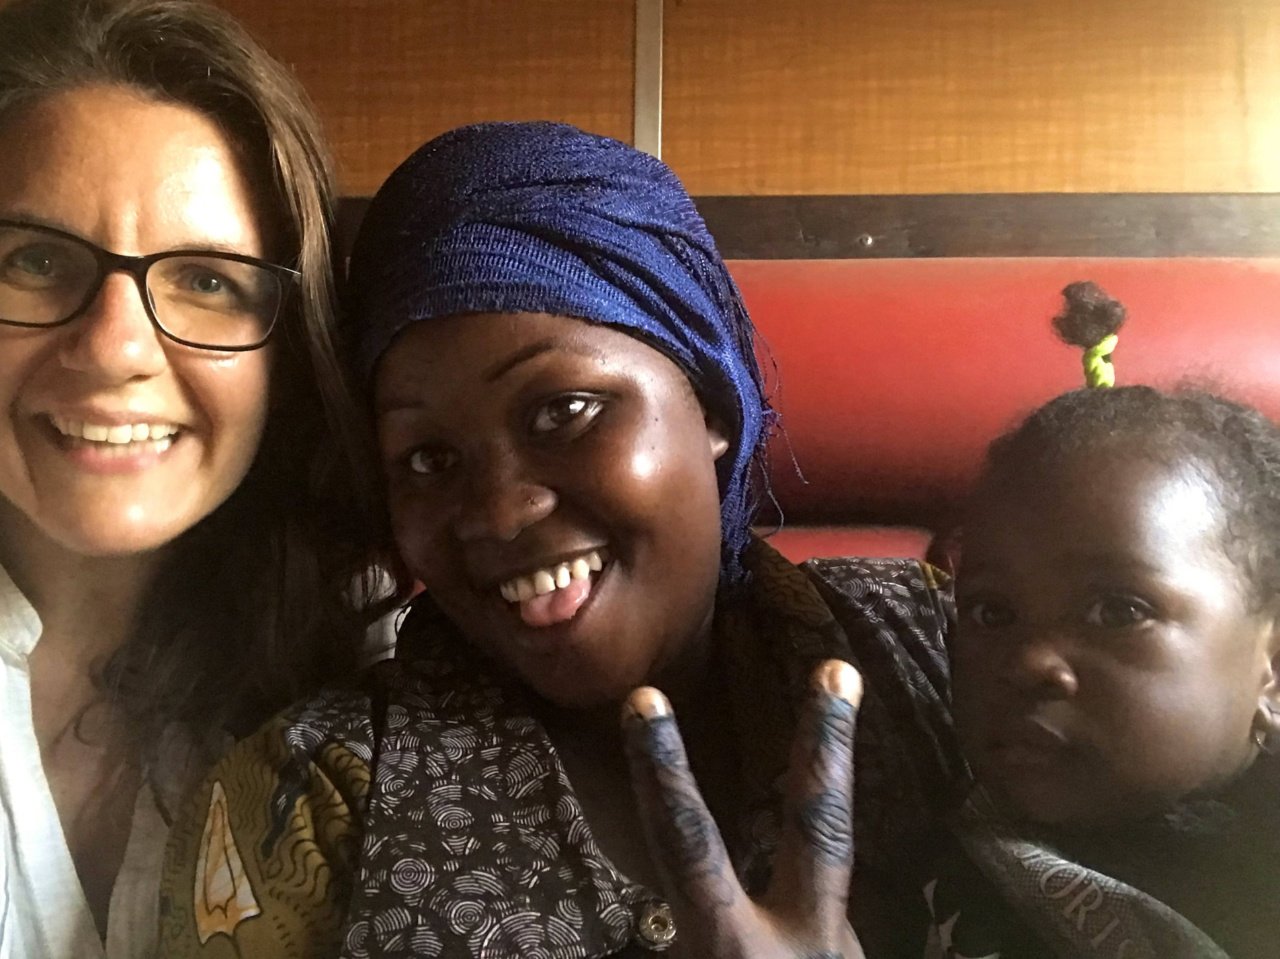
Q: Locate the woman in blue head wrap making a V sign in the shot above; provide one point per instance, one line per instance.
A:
(572, 422)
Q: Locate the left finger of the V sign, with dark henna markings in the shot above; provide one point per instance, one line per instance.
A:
(683, 835)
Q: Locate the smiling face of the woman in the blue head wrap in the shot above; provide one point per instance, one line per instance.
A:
(595, 451)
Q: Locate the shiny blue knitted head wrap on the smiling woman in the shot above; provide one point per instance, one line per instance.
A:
(546, 218)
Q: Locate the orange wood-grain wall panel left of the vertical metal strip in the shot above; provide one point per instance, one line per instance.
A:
(387, 75)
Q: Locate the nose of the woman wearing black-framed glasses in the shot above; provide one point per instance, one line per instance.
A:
(115, 340)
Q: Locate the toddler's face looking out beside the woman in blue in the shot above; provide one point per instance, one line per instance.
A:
(1108, 661)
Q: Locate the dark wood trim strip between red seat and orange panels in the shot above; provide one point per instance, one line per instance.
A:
(979, 225)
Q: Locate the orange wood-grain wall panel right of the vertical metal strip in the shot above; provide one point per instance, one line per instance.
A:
(938, 97)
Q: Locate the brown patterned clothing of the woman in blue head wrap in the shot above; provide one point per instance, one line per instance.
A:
(427, 812)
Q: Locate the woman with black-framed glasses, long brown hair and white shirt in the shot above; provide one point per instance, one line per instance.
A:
(181, 509)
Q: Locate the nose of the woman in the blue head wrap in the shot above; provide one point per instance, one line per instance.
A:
(501, 500)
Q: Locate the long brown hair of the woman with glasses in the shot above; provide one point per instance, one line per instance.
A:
(271, 593)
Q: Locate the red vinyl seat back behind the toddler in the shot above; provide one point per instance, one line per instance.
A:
(894, 376)
